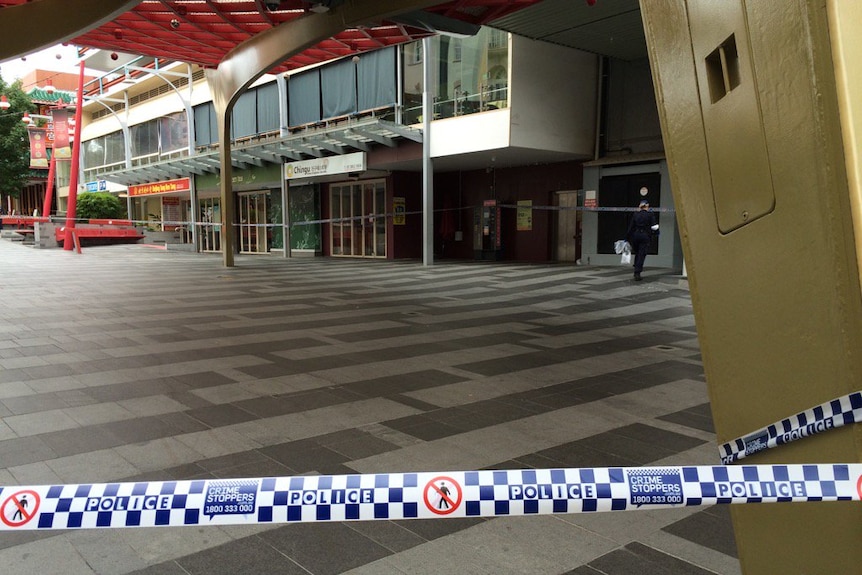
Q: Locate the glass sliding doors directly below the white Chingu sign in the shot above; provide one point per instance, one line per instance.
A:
(358, 213)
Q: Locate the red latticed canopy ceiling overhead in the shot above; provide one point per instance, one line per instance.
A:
(203, 31)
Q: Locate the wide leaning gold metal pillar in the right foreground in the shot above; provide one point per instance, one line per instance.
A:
(760, 110)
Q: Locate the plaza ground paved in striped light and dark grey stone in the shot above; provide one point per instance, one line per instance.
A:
(132, 363)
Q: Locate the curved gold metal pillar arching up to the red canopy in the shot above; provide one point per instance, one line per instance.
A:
(254, 57)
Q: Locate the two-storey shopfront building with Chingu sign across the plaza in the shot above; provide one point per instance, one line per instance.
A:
(537, 151)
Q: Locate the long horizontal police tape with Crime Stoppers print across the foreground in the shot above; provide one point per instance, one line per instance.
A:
(426, 495)
